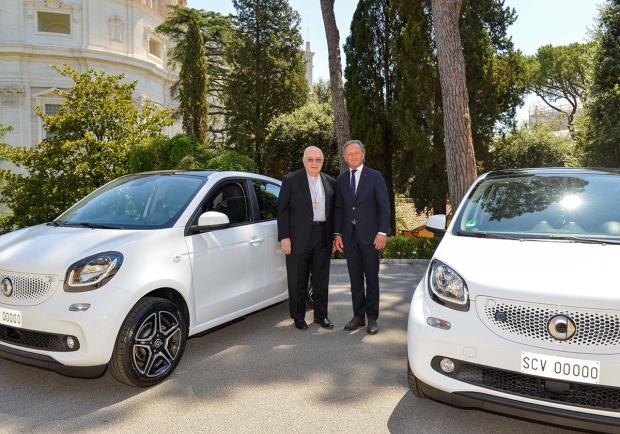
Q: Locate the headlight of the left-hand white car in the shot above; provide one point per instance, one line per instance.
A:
(92, 272)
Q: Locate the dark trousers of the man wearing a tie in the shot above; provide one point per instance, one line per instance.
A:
(363, 265)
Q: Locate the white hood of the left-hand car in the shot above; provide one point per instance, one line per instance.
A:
(47, 249)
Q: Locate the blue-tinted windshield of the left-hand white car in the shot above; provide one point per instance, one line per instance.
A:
(135, 202)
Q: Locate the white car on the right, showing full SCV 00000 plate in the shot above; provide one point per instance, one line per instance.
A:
(519, 310)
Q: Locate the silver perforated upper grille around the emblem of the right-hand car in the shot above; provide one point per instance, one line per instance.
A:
(597, 331)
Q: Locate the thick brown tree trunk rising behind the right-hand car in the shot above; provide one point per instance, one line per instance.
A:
(460, 157)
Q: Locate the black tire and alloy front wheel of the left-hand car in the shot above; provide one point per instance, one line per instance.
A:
(150, 343)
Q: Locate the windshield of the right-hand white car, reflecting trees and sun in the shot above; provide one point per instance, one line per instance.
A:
(580, 207)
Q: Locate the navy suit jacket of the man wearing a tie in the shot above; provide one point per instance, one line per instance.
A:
(370, 208)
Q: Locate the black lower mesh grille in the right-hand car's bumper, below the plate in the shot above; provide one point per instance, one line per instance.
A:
(583, 395)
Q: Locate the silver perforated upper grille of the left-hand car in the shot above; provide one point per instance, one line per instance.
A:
(28, 289)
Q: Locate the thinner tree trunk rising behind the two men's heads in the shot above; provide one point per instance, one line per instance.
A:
(341, 117)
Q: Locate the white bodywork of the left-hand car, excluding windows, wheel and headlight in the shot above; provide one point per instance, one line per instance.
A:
(221, 275)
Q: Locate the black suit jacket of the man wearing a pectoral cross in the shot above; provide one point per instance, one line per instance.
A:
(295, 213)
